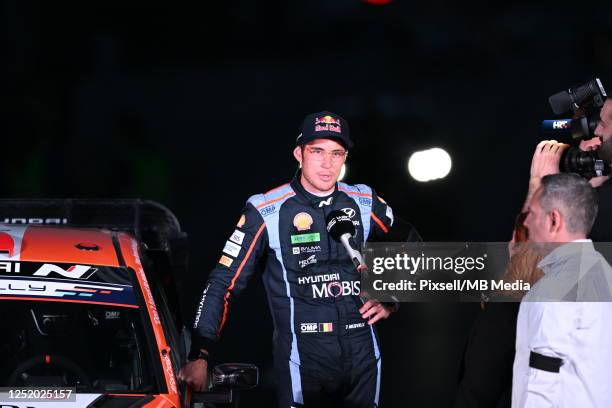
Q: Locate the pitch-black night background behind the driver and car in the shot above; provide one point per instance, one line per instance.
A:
(199, 108)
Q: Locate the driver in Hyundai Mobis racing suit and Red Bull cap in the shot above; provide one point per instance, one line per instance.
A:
(326, 351)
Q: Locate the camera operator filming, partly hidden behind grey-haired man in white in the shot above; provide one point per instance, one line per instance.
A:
(496, 324)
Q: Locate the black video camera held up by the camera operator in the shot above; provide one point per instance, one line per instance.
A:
(584, 102)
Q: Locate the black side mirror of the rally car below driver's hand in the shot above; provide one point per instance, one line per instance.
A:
(227, 380)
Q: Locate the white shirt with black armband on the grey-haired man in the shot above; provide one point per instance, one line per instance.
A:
(578, 332)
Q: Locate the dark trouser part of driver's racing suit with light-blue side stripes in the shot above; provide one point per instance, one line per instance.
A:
(328, 370)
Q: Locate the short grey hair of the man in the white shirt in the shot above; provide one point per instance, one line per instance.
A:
(573, 197)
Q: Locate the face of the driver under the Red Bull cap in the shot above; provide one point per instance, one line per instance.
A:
(321, 160)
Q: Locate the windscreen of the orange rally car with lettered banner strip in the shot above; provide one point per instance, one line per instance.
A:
(91, 333)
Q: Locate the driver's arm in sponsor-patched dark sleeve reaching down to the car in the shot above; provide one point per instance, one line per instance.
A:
(235, 266)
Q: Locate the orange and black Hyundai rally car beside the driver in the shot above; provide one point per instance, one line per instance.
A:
(89, 312)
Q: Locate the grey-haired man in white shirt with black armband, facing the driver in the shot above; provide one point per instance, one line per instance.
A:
(563, 354)
